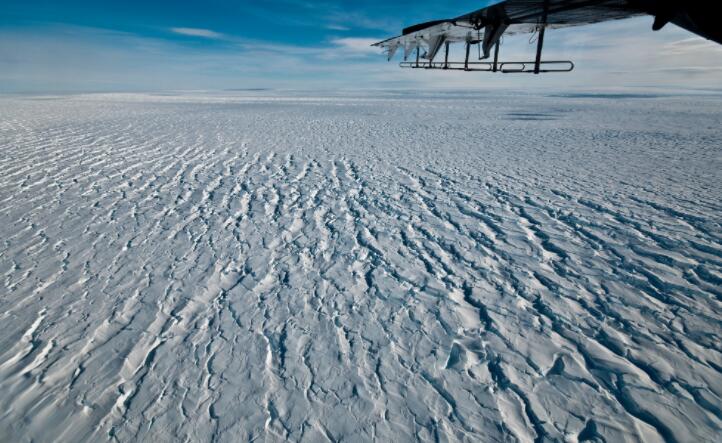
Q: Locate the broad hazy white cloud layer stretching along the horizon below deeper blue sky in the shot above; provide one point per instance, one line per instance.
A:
(617, 54)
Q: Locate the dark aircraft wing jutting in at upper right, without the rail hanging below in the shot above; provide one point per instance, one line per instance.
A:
(503, 17)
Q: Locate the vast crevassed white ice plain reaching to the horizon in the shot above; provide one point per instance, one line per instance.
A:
(449, 267)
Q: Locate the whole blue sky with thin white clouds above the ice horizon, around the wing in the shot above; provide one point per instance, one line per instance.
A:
(110, 45)
